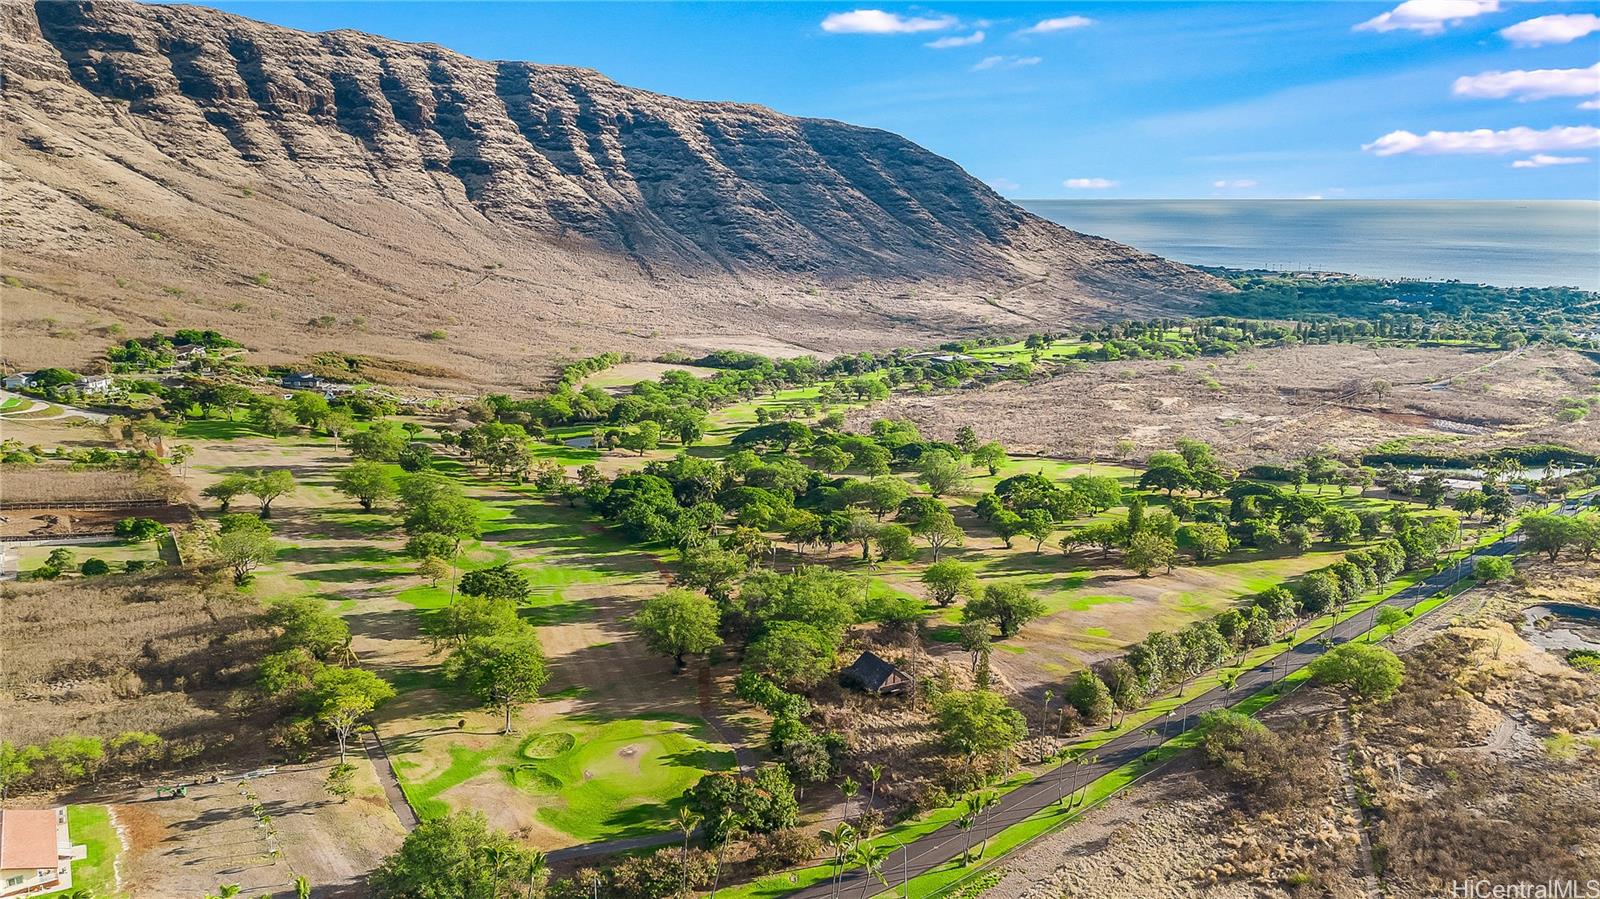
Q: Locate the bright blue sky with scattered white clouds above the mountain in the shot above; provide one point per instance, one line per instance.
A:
(1420, 100)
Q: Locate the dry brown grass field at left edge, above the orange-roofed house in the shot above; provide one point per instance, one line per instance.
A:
(159, 653)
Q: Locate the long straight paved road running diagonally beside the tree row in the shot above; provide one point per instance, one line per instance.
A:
(937, 849)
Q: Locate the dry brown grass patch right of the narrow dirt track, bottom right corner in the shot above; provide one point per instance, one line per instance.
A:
(1458, 765)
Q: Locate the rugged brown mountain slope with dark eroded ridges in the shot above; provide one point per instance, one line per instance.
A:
(182, 166)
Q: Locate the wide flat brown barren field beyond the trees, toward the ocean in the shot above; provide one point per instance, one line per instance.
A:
(1281, 402)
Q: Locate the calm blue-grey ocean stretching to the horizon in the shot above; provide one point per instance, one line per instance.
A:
(1502, 242)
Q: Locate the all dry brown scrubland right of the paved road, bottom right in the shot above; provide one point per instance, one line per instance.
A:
(1460, 770)
